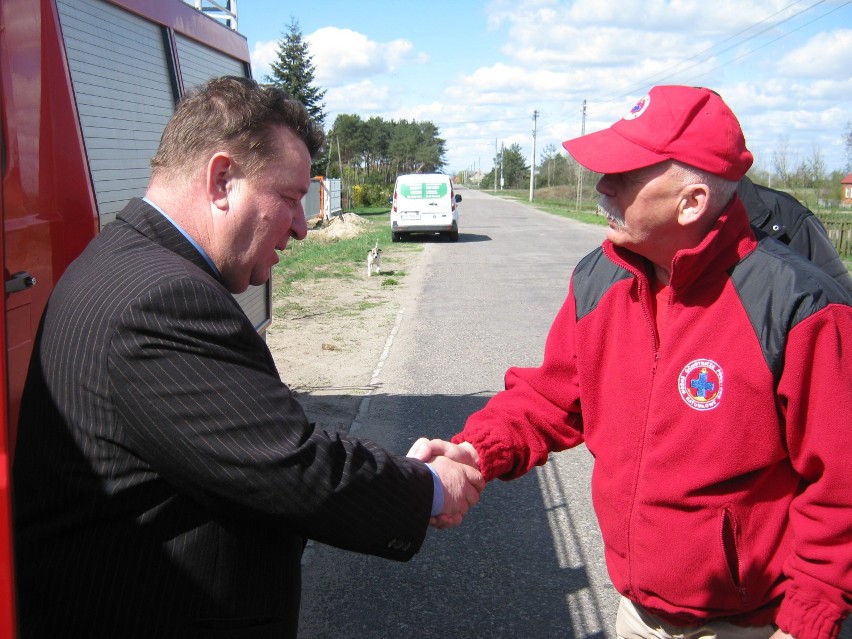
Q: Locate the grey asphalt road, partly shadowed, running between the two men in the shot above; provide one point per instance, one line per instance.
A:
(527, 561)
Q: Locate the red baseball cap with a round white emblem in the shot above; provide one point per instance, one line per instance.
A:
(688, 124)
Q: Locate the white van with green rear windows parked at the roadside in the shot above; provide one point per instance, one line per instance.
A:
(424, 203)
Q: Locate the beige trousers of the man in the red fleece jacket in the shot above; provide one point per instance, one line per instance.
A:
(634, 622)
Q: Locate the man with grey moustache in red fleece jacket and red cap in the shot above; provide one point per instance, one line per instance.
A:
(708, 373)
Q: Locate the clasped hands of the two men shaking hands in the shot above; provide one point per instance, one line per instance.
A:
(457, 467)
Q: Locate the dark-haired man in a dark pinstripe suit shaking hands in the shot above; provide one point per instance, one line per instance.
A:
(165, 479)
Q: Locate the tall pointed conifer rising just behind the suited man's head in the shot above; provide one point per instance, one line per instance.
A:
(294, 70)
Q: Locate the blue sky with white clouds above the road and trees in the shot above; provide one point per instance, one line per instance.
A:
(489, 73)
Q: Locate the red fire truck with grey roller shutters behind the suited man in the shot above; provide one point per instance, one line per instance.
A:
(87, 88)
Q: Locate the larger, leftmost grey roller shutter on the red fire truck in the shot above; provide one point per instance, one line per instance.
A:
(124, 97)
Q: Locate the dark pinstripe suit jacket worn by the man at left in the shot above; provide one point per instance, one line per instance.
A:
(165, 479)
